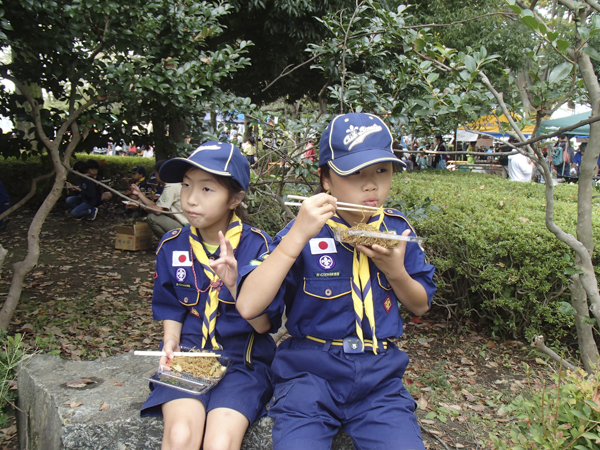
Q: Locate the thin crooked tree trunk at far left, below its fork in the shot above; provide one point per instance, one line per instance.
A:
(22, 268)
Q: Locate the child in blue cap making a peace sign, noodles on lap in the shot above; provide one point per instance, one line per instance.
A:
(194, 295)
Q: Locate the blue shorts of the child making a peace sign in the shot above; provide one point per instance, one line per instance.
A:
(243, 389)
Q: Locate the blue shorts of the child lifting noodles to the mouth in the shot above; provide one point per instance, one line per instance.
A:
(319, 389)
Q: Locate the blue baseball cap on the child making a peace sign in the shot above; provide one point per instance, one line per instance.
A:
(218, 158)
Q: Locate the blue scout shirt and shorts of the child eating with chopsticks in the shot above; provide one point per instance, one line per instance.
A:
(320, 383)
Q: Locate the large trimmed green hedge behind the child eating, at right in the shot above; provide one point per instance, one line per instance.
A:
(495, 259)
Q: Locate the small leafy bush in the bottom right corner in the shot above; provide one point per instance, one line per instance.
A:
(564, 415)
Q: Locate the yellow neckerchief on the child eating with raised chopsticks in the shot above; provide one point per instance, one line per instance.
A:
(362, 294)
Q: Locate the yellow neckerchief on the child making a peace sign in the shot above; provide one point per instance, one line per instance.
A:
(209, 320)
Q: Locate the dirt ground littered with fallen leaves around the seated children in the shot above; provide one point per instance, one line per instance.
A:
(86, 300)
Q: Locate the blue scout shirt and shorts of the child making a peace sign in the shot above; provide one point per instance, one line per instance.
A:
(180, 294)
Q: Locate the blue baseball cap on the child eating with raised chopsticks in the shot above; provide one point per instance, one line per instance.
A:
(354, 141)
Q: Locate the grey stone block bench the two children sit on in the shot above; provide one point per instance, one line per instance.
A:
(48, 421)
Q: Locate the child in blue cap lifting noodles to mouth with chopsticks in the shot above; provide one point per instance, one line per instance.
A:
(340, 368)
